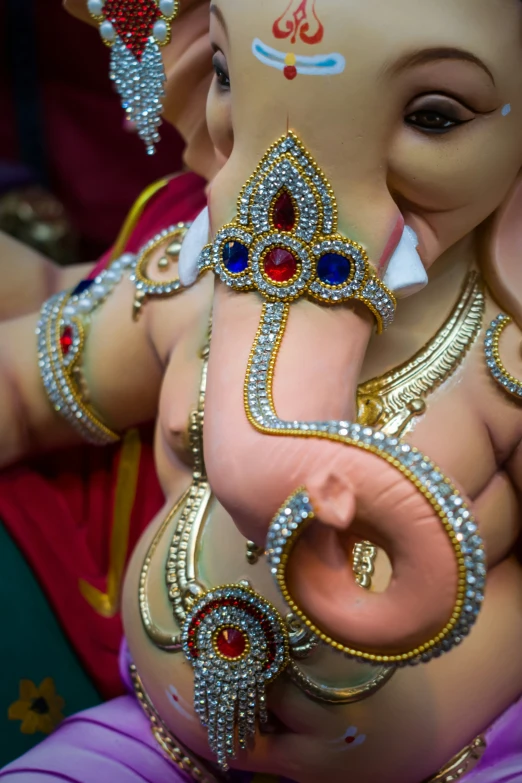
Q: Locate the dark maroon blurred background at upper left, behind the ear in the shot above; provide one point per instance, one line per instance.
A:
(70, 168)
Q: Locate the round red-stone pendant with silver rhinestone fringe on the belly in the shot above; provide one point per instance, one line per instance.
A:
(237, 643)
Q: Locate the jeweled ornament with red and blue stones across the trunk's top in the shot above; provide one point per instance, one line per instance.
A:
(284, 241)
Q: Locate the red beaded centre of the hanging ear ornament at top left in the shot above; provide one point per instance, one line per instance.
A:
(133, 21)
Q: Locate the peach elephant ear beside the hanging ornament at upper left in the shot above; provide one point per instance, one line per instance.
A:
(188, 66)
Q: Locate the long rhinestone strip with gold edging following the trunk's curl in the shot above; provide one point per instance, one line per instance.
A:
(456, 518)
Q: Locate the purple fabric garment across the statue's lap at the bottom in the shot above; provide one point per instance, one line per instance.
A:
(113, 743)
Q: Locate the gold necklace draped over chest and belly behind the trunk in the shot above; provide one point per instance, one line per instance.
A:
(401, 392)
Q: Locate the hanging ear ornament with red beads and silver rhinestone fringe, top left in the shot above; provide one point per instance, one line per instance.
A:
(135, 30)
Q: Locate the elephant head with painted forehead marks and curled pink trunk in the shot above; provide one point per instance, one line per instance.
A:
(410, 110)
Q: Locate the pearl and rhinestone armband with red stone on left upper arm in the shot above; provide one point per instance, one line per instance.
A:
(63, 326)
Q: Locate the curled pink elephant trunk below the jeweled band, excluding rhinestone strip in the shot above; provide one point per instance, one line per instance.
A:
(355, 493)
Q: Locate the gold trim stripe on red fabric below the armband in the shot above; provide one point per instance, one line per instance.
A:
(108, 604)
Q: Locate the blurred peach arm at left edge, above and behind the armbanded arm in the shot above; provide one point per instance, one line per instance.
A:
(28, 278)
